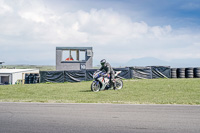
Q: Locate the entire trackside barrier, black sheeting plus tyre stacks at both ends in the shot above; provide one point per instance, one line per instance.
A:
(148, 72)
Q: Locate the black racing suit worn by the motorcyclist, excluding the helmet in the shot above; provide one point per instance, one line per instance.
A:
(108, 69)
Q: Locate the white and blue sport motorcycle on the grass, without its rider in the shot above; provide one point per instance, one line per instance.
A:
(102, 81)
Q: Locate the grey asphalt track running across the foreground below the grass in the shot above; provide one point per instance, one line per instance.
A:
(98, 118)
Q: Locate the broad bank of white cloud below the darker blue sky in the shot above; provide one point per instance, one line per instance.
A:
(30, 30)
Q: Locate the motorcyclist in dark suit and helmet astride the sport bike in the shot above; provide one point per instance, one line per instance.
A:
(109, 71)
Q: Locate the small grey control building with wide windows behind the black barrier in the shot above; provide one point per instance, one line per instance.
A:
(74, 58)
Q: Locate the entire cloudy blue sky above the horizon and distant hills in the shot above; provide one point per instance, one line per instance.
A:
(118, 30)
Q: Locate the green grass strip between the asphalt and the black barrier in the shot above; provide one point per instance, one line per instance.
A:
(152, 91)
